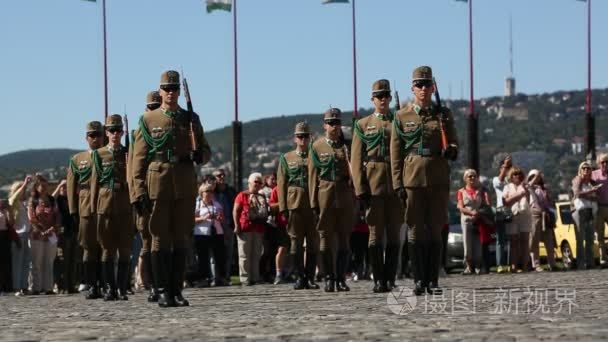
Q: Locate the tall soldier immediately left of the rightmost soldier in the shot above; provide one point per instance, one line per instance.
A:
(372, 179)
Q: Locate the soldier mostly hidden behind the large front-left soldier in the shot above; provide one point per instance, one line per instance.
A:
(153, 101)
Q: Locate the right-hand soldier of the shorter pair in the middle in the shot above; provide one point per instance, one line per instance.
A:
(332, 199)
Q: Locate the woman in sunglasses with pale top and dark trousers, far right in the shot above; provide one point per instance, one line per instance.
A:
(585, 190)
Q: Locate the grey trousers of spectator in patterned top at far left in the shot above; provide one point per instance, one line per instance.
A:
(43, 256)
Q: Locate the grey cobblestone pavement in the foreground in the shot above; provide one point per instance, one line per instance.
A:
(531, 306)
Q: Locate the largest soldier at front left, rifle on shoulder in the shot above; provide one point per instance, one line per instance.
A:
(164, 184)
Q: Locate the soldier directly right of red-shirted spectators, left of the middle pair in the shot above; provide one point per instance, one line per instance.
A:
(294, 204)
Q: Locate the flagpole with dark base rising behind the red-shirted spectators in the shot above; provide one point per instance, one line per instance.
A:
(237, 128)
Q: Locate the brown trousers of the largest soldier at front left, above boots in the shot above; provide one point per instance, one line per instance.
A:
(171, 223)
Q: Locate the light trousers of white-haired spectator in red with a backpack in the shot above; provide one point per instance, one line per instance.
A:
(250, 245)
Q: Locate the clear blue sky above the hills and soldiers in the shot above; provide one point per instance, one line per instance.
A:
(294, 56)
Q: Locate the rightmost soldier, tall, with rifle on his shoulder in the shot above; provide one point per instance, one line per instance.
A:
(421, 176)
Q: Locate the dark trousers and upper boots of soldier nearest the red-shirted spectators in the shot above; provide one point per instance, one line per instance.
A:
(301, 225)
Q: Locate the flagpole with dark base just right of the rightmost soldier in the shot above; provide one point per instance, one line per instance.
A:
(473, 143)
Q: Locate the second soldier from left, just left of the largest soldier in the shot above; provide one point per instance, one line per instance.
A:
(110, 194)
